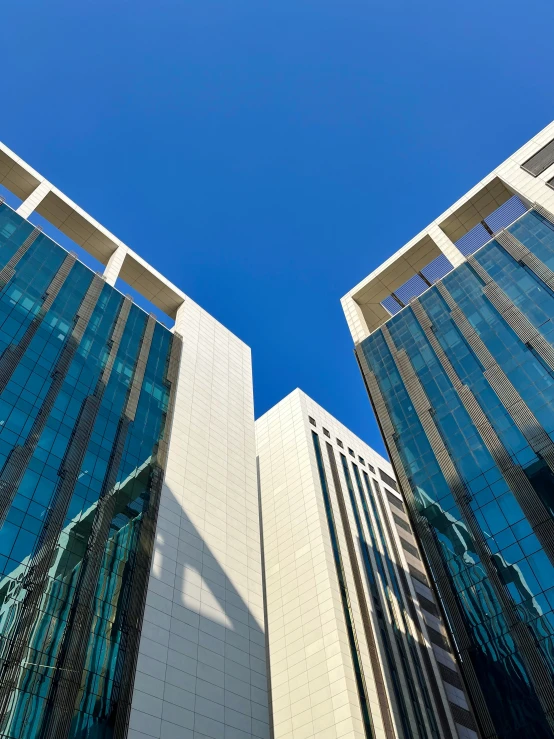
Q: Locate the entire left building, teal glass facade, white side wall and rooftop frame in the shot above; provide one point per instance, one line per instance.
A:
(131, 584)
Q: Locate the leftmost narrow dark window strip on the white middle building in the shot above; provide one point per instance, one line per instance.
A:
(348, 616)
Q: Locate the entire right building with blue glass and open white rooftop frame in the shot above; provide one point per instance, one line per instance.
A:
(454, 339)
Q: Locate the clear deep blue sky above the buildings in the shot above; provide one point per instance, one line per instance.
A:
(266, 156)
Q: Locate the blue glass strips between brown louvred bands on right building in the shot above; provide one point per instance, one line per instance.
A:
(516, 553)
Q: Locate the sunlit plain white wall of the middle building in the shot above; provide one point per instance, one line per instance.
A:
(313, 683)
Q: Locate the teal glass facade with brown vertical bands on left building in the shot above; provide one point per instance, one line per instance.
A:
(85, 392)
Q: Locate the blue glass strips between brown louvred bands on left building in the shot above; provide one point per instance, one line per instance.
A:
(20, 405)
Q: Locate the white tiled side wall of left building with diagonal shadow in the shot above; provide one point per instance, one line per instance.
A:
(201, 668)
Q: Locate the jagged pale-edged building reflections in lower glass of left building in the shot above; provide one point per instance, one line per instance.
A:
(47, 637)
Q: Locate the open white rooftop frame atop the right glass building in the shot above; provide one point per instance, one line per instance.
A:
(525, 178)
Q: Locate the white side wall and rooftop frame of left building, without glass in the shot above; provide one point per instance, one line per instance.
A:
(201, 662)
